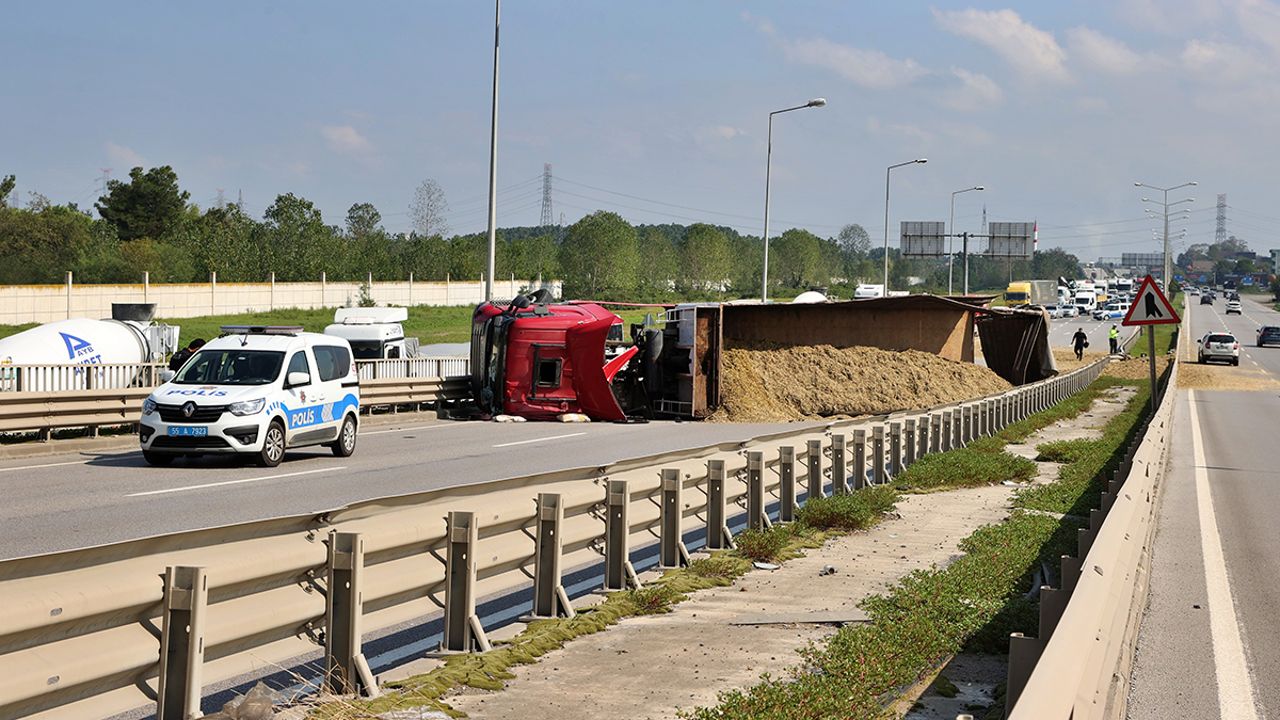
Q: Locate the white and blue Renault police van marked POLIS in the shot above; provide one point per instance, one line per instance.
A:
(257, 390)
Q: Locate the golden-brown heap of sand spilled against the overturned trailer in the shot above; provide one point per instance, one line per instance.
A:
(771, 385)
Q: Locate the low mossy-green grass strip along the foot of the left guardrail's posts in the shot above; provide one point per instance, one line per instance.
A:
(826, 518)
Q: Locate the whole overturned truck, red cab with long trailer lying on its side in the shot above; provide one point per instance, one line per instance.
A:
(541, 361)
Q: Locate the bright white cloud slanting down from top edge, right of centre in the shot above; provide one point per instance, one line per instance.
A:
(1030, 51)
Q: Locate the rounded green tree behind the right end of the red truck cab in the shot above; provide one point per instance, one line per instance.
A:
(600, 258)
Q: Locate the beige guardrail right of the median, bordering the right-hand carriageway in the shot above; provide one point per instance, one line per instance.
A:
(1077, 667)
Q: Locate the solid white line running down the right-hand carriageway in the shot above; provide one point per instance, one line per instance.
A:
(1235, 686)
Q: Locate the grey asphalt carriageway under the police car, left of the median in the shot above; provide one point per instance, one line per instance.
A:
(67, 502)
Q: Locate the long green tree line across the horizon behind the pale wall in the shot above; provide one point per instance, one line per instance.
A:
(148, 224)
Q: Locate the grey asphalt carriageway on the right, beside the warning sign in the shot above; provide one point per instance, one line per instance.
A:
(1210, 644)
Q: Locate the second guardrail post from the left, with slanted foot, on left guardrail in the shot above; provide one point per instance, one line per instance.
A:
(346, 668)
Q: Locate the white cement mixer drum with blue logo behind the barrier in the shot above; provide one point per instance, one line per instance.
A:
(83, 354)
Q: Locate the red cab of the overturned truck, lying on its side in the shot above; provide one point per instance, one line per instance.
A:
(542, 361)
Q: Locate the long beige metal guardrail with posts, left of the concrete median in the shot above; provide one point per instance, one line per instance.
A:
(83, 631)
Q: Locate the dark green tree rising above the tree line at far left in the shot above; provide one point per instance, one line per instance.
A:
(149, 206)
